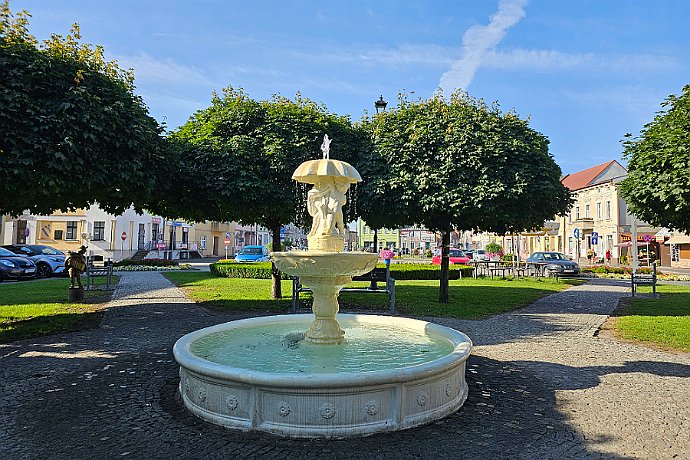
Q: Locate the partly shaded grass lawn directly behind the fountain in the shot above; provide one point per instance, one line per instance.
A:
(469, 298)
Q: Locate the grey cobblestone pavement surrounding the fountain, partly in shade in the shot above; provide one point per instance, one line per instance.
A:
(542, 385)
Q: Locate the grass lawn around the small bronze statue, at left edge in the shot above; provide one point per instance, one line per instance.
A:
(33, 308)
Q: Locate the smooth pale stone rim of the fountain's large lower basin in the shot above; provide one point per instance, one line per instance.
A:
(461, 351)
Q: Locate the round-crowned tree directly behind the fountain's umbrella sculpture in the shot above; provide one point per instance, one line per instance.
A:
(238, 156)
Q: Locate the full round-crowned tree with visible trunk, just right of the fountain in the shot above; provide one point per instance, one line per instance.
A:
(460, 164)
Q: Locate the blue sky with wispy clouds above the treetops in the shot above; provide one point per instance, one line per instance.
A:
(585, 72)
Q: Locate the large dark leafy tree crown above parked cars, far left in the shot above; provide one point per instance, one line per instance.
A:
(72, 132)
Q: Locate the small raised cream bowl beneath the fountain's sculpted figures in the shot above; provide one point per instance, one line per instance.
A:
(324, 264)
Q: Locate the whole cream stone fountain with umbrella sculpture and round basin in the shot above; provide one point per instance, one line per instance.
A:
(347, 376)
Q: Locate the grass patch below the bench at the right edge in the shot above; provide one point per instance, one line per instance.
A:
(663, 322)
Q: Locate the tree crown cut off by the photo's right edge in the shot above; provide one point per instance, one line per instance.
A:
(657, 188)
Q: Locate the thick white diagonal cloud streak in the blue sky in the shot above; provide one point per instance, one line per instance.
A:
(477, 41)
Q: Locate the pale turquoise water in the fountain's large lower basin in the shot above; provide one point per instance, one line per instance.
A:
(277, 348)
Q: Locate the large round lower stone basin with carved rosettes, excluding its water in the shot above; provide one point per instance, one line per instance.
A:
(328, 405)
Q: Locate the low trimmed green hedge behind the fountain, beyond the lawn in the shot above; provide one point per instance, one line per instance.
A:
(262, 270)
